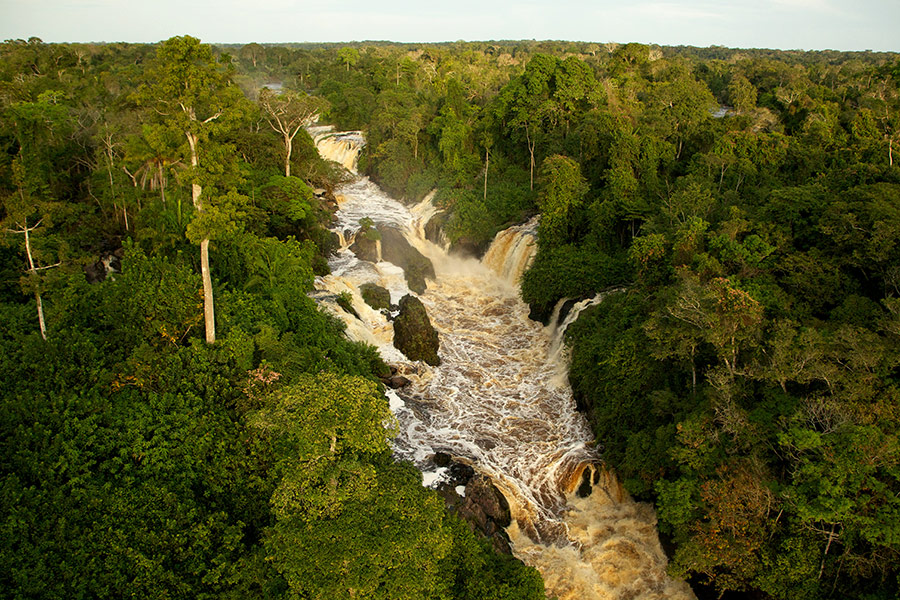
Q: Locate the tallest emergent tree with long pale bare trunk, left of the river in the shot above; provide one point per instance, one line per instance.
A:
(196, 96)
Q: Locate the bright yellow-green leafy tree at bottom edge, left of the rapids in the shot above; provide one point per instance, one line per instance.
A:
(350, 522)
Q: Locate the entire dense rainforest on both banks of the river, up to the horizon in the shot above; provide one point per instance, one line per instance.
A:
(194, 426)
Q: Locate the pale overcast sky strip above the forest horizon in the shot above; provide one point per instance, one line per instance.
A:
(785, 24)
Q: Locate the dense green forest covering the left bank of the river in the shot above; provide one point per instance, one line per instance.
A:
(147, 450)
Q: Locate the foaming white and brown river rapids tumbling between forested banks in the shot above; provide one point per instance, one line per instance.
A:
(500, 402)
